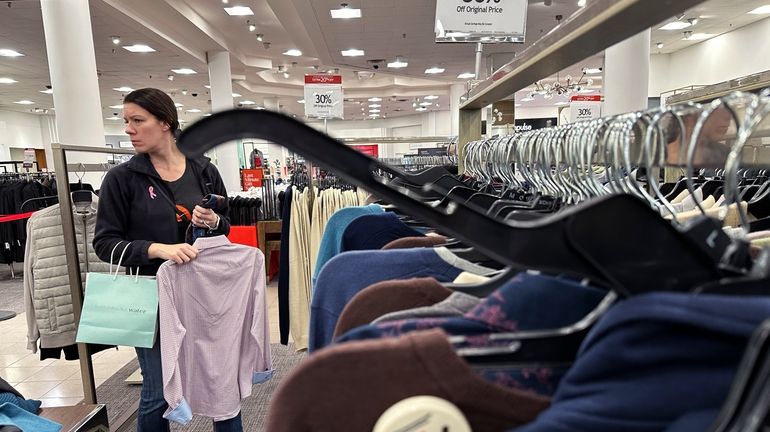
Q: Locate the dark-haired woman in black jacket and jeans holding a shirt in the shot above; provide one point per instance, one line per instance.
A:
(146, 201)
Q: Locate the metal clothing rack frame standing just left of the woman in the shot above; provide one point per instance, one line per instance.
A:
(70, 244)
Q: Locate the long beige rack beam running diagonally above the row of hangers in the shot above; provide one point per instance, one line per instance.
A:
(597, 26)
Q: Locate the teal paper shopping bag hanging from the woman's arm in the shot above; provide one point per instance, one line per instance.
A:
(119, 309)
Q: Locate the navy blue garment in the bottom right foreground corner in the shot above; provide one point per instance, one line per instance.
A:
(652, 359)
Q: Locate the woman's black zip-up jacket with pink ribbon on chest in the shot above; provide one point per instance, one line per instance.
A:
(136, 205)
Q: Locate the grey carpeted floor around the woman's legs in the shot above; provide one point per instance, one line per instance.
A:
(118, 396)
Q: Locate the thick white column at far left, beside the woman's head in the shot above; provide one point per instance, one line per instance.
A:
(70, 47)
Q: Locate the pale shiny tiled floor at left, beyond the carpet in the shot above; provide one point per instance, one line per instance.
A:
(57, 382)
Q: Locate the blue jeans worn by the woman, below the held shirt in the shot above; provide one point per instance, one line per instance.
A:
(152, 405)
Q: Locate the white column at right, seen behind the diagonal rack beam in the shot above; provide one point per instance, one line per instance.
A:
(626, 75)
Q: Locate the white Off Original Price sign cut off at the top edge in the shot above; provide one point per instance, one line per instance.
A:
(487, 21)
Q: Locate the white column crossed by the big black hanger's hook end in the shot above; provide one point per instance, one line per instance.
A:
(220, 79)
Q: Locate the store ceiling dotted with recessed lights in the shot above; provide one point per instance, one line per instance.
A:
(182, 31)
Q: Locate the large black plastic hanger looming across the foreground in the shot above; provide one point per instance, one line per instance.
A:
(586, 240)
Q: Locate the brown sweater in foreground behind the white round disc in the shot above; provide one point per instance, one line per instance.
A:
(347, 387)
